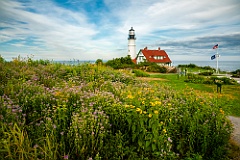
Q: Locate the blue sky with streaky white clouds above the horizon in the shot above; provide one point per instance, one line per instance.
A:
(98, 29)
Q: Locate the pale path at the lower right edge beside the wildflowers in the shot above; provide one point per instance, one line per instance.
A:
(236, 125)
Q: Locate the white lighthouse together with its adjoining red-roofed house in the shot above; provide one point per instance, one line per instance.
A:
(146, 55)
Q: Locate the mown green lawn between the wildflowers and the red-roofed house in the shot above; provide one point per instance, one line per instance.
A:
(230, 93)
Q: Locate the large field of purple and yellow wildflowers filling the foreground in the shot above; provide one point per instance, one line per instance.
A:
(56, 111)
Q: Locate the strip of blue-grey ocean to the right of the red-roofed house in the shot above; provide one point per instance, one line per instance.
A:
(222, 65)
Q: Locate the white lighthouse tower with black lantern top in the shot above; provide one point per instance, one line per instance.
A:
(131, 43)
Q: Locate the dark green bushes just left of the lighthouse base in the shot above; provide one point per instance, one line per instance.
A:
(120, 63)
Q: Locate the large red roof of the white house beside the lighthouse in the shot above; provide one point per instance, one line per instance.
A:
(156, 56)
